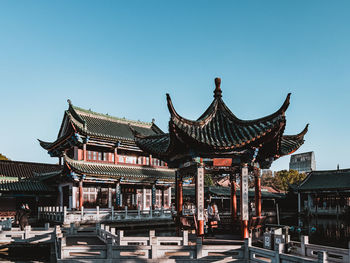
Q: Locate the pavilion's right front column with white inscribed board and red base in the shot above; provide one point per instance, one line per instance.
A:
(244, 202)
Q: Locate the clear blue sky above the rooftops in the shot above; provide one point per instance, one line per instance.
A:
(121, 58)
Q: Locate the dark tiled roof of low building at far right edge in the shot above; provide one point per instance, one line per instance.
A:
(332, 180)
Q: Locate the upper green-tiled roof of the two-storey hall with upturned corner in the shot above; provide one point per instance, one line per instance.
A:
(84, 122)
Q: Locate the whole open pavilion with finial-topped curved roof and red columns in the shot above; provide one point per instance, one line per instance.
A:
(220, 142)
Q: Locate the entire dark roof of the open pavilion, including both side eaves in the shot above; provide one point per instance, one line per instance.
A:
(219, 133)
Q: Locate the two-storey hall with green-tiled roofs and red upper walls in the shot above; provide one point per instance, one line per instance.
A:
(102, 165)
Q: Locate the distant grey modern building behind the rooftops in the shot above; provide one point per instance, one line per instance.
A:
(303, 162)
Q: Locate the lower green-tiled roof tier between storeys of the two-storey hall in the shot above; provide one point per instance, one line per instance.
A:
(117, 171)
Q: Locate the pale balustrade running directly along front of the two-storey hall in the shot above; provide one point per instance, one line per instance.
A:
(63, 215)
